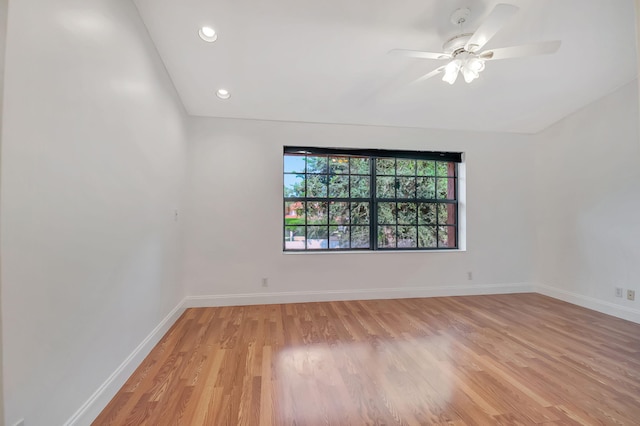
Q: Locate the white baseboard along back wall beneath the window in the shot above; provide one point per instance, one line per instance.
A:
(363, 294)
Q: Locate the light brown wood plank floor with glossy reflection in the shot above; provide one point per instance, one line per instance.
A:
(483, 360)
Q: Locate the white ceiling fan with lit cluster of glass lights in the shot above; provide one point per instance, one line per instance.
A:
(464, 51)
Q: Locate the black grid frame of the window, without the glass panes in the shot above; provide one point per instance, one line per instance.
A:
(373, 155)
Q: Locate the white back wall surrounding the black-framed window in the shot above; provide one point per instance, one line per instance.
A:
(233, 236)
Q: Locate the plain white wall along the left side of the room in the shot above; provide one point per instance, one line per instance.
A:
(93, 156)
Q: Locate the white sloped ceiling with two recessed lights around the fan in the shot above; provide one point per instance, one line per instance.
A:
(326, 61)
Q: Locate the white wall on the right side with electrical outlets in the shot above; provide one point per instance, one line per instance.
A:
(587, 203)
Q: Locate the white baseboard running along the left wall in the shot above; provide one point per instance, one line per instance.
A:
(103, 395)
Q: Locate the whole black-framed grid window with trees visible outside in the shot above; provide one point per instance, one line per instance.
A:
(344, 199)
